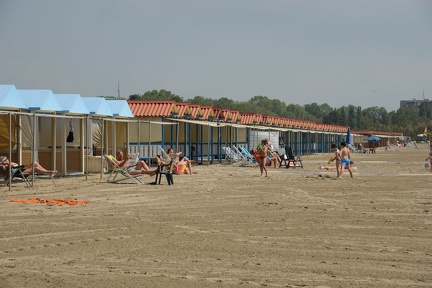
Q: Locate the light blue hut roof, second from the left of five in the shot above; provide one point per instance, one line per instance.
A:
(40, 100)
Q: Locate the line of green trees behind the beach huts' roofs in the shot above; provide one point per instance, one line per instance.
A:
(409, 121)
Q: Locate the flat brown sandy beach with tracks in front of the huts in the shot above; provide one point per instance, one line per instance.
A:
(228, 227)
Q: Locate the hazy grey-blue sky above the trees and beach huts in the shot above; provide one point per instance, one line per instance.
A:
(364, 53)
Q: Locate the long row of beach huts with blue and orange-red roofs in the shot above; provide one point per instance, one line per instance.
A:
(69, 133)
